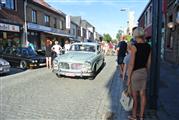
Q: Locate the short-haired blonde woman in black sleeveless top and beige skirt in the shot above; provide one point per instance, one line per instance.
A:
(139, 64)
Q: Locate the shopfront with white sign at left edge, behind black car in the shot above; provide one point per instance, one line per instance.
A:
(10, 35)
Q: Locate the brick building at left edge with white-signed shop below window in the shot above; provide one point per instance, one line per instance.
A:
(11, 23)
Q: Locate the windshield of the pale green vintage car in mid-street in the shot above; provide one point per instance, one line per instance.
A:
(82, 47)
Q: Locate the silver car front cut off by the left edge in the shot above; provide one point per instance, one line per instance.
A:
(4, 66)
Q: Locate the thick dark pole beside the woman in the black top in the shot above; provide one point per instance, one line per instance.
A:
(156, 49)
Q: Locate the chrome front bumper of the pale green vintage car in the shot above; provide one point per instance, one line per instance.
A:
(72, 73)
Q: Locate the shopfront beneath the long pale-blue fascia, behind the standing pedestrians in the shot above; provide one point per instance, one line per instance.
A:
(37, 35)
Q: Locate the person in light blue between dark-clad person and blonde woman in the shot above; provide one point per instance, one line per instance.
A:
(126, 61)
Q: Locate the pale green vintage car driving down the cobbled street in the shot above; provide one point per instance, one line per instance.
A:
(82, 60)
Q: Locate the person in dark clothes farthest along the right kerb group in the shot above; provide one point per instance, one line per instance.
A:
(121, 53)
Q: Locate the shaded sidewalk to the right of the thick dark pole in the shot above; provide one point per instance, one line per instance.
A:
(168, 92)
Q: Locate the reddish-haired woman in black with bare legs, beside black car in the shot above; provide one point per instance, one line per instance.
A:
(48, 53)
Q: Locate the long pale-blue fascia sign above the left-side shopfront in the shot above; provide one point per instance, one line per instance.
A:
(42, 28)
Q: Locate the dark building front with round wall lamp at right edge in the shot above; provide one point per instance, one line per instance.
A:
(171, 46)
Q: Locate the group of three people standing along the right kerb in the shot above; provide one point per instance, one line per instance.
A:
(134, 59)
